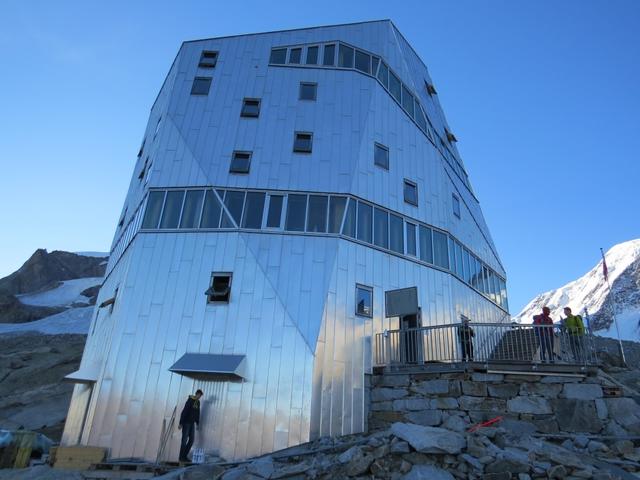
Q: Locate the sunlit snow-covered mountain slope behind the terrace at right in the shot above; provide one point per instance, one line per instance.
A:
(591, 292)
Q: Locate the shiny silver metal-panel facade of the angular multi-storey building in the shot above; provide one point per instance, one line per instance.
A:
(292, 307)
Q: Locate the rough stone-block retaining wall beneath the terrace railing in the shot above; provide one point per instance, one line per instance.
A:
(527, 403)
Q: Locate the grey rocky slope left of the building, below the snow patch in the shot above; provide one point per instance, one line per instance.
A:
(32, 394)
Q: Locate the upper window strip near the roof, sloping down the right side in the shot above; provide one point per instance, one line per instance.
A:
(345, 56)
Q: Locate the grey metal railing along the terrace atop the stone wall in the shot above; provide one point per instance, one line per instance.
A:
(484, 342)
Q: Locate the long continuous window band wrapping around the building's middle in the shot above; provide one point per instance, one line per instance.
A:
(321, 214)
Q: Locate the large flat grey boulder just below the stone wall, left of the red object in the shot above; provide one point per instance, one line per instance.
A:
(429, 439)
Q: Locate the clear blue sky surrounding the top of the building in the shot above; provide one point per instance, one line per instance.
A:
(543, 96)
